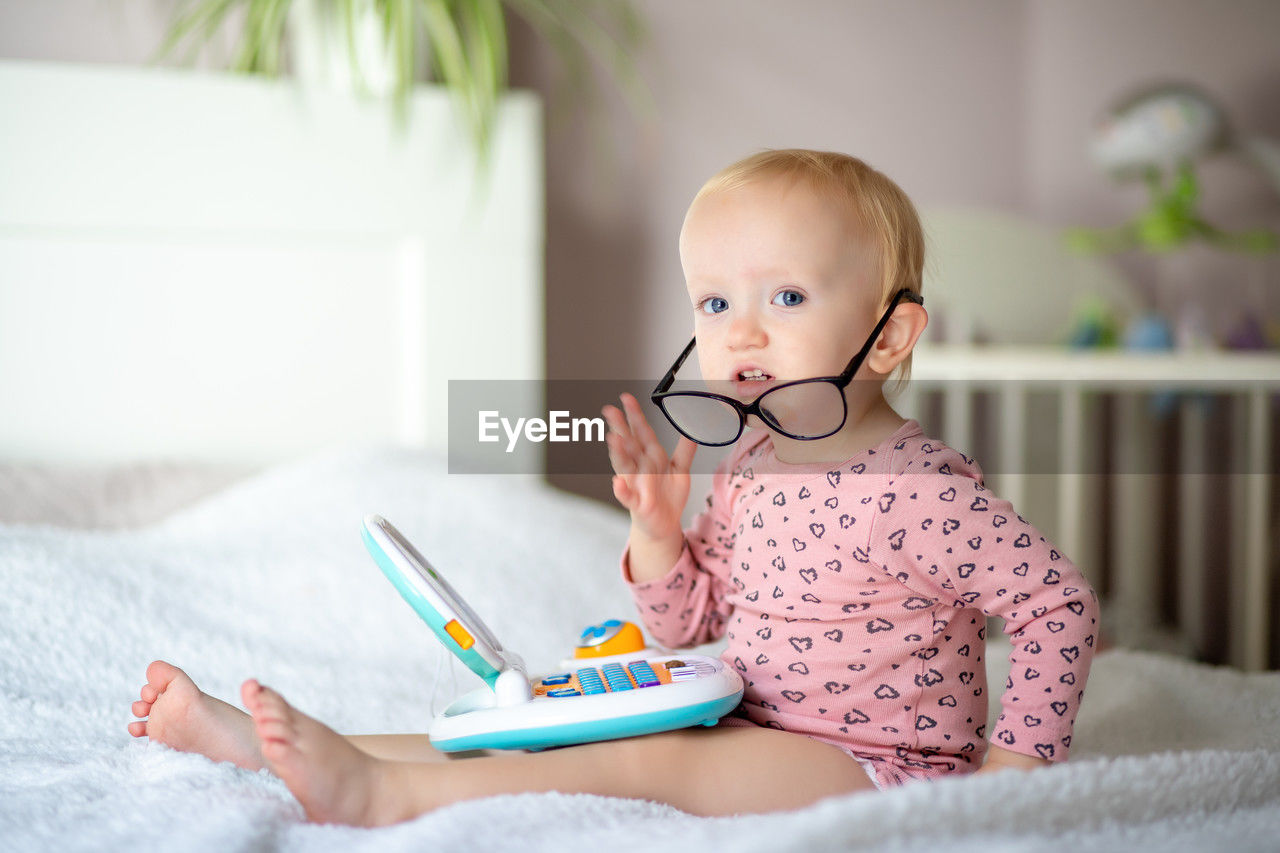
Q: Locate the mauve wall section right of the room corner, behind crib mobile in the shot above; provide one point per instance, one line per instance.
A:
(1089, 53)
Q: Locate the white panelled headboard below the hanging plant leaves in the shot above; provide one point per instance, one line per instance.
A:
(222, 268)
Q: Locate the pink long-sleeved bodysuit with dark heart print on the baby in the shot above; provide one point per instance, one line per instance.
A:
(854, 600)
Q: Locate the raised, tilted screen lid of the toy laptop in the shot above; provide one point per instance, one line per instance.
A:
(435, 592)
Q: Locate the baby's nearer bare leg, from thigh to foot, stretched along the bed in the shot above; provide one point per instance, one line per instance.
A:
(702, 772)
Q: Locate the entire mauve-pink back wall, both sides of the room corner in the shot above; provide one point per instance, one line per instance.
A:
(981, 103)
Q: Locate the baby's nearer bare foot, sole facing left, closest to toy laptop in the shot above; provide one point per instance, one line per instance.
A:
(335, 782)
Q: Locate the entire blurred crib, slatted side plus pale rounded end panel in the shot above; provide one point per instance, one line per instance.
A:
(1155, 472)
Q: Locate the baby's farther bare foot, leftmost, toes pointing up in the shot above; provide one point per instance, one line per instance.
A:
(184, 718)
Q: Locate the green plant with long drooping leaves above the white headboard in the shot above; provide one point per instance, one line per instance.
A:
(463, 42)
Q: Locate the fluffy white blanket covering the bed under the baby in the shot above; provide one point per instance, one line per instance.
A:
(269, 580)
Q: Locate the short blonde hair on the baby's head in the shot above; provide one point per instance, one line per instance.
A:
(879, 207)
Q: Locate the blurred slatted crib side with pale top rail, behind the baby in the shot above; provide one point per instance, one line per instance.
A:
(1154, 472)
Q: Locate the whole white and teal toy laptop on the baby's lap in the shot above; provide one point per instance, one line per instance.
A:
(612, 688)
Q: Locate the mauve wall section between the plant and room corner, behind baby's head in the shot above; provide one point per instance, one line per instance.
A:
(930, 93)
